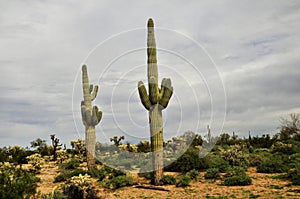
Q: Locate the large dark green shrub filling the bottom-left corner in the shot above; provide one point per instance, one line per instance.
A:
(16, 182)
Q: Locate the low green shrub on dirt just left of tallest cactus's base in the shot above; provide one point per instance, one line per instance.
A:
(118, 182)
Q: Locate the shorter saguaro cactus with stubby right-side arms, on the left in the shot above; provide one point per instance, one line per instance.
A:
(91, 116)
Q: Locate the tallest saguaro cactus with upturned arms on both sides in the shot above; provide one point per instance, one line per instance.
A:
(155, 102)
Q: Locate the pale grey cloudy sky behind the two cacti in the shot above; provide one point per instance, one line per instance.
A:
(234, 66)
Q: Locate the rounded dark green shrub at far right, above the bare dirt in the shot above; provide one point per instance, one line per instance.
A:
(272, 165)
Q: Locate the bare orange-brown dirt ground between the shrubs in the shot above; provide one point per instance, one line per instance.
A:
(263, 186)
